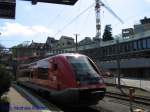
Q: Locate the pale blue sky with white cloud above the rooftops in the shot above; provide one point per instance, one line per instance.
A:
(37, 22)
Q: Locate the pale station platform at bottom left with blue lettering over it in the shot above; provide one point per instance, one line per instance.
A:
(19, 103)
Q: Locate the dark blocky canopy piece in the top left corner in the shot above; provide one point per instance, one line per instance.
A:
(7, 9)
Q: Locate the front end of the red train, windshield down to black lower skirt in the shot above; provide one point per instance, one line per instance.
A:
(90, 87)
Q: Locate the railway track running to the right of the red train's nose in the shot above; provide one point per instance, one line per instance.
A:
(137, 99)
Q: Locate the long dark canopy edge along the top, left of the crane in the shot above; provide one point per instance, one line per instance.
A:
(65, 2)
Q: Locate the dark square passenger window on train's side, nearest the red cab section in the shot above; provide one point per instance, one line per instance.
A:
(43, 73)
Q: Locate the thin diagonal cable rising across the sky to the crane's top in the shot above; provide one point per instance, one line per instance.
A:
(81, 13)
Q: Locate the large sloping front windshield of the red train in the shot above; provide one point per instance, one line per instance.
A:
(84, 69)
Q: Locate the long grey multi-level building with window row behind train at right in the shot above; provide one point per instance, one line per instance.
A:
(131, 50)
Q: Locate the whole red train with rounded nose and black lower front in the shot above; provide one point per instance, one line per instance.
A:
(68, 78)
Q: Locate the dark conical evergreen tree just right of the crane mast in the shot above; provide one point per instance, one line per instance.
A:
(107, 35)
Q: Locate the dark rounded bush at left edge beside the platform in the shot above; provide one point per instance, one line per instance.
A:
(5, 80)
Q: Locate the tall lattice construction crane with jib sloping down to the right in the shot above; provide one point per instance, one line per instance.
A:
(98, 5)
